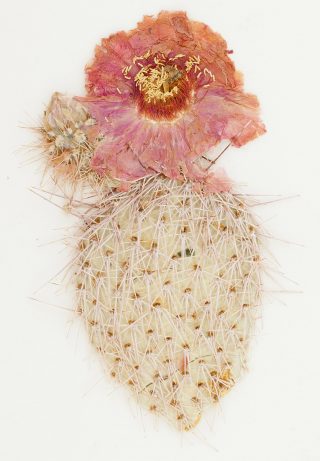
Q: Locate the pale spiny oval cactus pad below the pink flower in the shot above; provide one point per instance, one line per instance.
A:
(169, 285)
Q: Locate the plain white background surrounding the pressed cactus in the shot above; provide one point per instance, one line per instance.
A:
(55, 403)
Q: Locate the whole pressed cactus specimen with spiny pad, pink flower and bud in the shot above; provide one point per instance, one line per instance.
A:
(168, 269)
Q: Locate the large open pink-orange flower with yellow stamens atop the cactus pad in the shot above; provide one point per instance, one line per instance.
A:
(163, 94)
